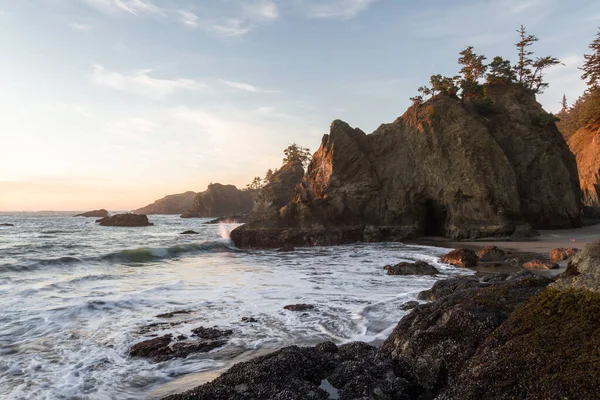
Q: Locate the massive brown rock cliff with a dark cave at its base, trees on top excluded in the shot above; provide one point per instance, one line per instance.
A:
(444, 168)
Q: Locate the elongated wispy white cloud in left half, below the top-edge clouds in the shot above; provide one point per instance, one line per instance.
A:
(141, 83)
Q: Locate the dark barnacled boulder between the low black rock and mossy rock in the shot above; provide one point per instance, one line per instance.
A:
(440, 337)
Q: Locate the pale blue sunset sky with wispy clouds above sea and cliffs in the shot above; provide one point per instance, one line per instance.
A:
(115, 103)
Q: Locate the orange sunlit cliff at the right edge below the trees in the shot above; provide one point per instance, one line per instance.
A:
(585, 144)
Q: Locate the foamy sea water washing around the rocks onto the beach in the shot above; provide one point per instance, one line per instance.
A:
(75, 296)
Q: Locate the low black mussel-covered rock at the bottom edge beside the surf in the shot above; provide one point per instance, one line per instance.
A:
(299, 373)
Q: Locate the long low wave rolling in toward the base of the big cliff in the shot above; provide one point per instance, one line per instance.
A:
(129, 256)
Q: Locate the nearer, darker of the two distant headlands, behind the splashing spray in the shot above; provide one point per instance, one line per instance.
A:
(220, 200)
